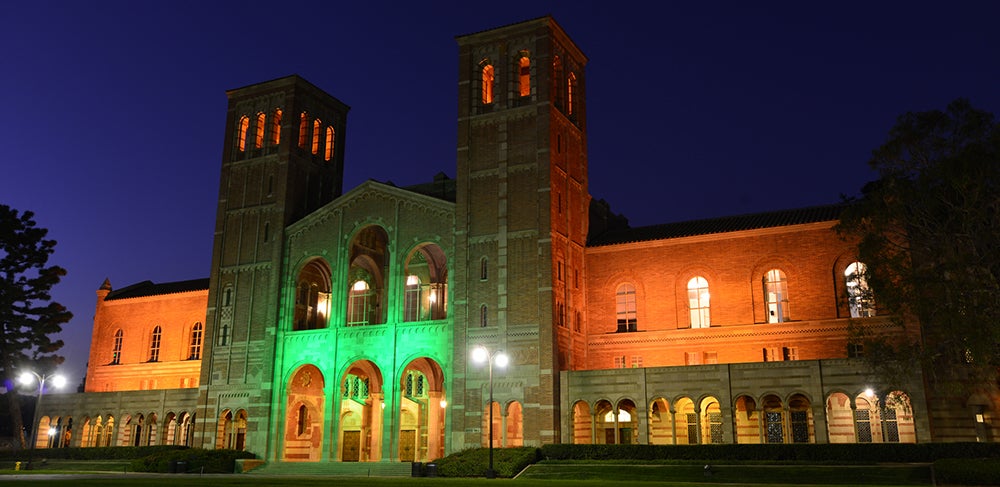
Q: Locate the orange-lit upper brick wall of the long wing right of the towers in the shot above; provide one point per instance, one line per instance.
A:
(811, 255)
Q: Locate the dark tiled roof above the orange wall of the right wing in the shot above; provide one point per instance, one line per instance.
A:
(720, 225)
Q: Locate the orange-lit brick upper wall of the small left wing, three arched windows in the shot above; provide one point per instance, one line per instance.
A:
(148, 336)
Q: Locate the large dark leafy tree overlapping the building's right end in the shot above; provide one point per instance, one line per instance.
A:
(929, 234)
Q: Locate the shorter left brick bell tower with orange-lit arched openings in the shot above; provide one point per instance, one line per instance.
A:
(282, 158)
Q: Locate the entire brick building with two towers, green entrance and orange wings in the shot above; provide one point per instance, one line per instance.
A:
(338, 326)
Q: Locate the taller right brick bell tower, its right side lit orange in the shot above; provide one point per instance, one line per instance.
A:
(521, 226)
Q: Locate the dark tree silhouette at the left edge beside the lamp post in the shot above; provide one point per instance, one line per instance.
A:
(28, 316)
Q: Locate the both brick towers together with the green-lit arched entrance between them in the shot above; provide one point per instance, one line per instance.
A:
(340, 324)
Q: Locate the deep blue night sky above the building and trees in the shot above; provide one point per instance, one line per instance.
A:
(113, 112)
